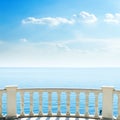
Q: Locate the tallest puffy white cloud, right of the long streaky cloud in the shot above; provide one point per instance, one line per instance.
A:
(85, 17)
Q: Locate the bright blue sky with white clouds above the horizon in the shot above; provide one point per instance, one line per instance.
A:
(59, 33)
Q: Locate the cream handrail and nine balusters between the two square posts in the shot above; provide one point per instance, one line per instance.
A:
(59, 91)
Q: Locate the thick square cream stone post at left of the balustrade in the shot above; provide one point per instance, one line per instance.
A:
(11, 101)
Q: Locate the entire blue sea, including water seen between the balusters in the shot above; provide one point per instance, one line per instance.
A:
(88, 78)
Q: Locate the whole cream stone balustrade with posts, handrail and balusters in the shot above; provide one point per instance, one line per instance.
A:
(107, 101)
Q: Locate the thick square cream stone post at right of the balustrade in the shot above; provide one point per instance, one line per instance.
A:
(107, 109)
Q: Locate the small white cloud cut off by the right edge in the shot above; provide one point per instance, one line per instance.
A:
(112, 18)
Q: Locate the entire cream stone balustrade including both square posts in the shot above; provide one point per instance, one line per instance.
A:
(107, 94)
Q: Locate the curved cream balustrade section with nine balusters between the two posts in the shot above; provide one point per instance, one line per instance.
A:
(59, 91)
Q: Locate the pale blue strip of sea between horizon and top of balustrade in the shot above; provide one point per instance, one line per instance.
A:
(60, 77)
